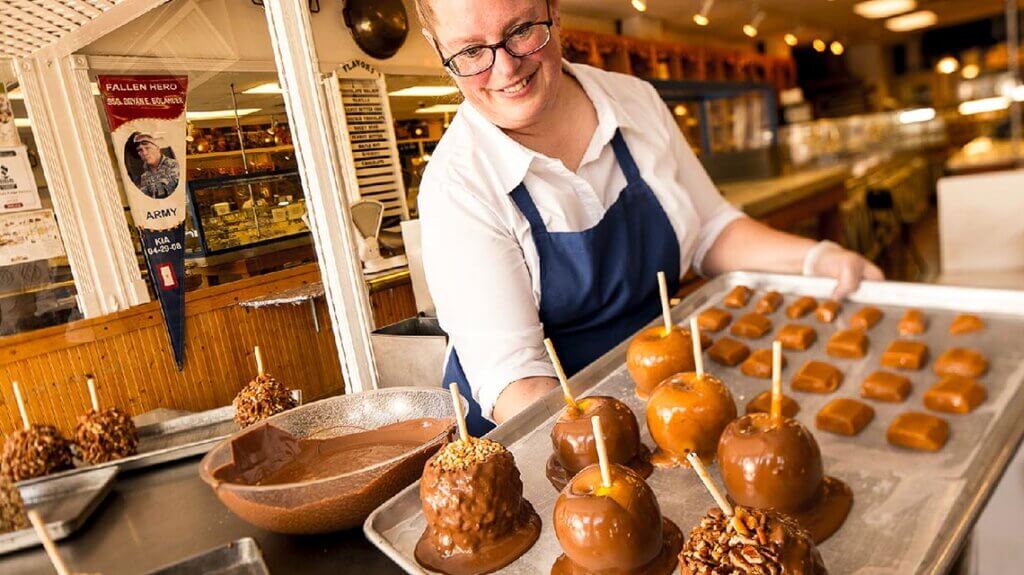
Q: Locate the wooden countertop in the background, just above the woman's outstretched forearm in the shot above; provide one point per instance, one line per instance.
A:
(762, 197)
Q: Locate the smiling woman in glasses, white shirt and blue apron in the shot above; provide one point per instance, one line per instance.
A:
(558, 194)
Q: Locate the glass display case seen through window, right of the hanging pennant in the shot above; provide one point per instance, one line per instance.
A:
(239, 212)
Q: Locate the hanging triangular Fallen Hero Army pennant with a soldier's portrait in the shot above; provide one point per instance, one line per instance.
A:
(147, 115)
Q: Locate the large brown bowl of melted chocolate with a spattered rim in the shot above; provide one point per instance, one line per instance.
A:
(325, 466)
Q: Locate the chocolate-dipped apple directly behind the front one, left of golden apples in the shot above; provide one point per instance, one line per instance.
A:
(575, 448)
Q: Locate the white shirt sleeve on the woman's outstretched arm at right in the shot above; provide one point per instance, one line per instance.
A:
(713, 210)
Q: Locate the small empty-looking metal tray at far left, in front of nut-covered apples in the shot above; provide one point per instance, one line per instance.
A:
(65, 505)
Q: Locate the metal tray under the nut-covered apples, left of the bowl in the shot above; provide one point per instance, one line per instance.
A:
(172, 440)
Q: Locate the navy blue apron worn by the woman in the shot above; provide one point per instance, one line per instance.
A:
(599, 286)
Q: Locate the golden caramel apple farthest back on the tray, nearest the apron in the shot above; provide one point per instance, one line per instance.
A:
(656, 355)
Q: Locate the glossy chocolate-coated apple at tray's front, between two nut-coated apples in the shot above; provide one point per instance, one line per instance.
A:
(614, 529)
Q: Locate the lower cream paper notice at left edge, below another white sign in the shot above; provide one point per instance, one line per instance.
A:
(29, 237)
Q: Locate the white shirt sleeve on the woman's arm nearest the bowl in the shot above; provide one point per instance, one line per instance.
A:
(482, 288)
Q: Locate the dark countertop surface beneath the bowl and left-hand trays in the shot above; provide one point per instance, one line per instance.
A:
(162, 516)
